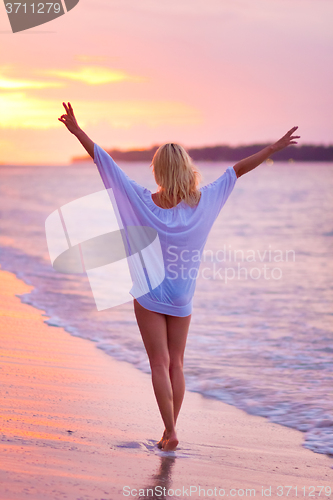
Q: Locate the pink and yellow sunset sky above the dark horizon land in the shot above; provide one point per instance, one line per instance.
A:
(145, 72)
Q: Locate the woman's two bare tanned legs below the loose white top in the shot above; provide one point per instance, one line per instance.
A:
(164, 338)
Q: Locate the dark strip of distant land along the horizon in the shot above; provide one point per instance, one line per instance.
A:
(228, 153)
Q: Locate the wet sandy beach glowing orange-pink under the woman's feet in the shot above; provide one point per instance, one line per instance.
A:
(78, 425)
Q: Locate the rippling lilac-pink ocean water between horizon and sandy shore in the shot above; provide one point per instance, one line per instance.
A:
(261, 331)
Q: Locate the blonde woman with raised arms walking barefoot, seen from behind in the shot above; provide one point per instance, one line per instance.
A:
(182, 216)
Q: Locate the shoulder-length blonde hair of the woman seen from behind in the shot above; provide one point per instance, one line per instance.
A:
(176, 176)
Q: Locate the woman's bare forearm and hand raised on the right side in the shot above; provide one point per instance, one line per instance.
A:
(251, 162)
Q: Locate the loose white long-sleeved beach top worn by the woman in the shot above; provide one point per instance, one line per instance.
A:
(182, 231)
